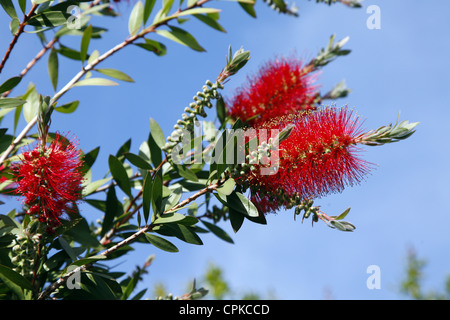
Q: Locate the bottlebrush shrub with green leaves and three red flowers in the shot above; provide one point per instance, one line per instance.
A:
(145, 195)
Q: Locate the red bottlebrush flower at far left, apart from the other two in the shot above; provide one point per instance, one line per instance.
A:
(49, 178)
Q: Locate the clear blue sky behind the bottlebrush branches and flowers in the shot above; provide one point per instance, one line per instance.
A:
(403, 67)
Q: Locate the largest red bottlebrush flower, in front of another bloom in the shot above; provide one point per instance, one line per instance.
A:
(319, 157)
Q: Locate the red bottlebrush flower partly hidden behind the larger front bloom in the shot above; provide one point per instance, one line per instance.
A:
(280, 88)
